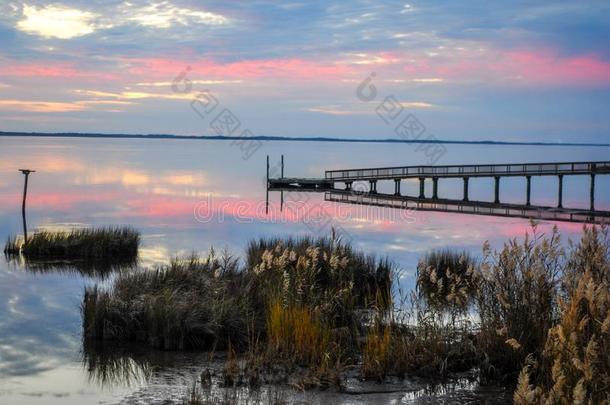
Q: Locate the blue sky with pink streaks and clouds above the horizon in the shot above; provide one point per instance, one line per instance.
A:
(476, 70)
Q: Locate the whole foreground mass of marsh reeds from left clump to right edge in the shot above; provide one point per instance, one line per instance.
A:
(534, 314)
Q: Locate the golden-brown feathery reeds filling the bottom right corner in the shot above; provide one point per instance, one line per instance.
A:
(575, 365)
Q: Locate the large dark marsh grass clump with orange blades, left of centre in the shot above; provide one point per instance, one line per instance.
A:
(291, 294)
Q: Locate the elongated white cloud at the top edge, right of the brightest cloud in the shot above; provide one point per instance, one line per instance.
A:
(164, 14)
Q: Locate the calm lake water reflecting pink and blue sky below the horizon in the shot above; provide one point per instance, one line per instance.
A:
(187, 196)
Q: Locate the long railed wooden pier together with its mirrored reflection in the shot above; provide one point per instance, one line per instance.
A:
(338, 186)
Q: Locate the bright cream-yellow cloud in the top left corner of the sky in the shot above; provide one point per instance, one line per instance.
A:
(56, 21)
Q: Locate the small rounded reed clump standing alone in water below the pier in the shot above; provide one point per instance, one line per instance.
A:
(447, 279)
